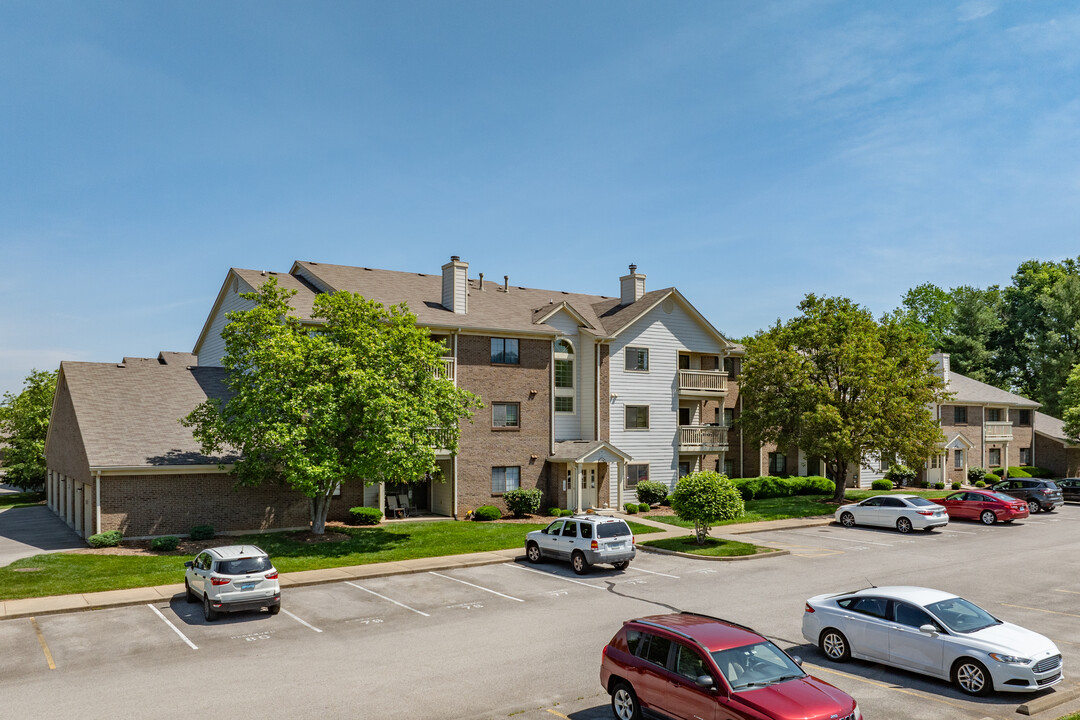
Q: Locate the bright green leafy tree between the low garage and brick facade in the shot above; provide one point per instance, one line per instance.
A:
(350, 396)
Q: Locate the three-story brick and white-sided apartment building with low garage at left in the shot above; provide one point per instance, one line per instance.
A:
(585, 396)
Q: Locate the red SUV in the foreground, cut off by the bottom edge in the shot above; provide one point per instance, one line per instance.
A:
(688, 665)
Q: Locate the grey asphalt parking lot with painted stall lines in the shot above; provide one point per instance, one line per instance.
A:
(525, 641)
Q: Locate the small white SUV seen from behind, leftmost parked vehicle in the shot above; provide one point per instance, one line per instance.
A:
(232, 579)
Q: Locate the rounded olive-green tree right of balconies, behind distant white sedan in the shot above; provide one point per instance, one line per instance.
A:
(843, 387)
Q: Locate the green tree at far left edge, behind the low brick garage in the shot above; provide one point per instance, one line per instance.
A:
(24, 420)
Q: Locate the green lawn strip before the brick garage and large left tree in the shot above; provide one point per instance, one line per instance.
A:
(64, 574)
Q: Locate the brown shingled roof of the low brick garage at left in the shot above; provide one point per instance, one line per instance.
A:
(128, 414)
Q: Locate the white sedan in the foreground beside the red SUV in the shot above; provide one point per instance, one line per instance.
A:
(935, 633)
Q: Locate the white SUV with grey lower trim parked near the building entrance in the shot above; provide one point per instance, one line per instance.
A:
(584, 540)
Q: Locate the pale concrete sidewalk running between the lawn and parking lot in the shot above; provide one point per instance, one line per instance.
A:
(60, 604)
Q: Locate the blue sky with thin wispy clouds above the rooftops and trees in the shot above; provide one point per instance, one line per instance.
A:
(746, 153)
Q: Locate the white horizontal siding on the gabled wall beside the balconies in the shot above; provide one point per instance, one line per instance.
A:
(665, 335)
